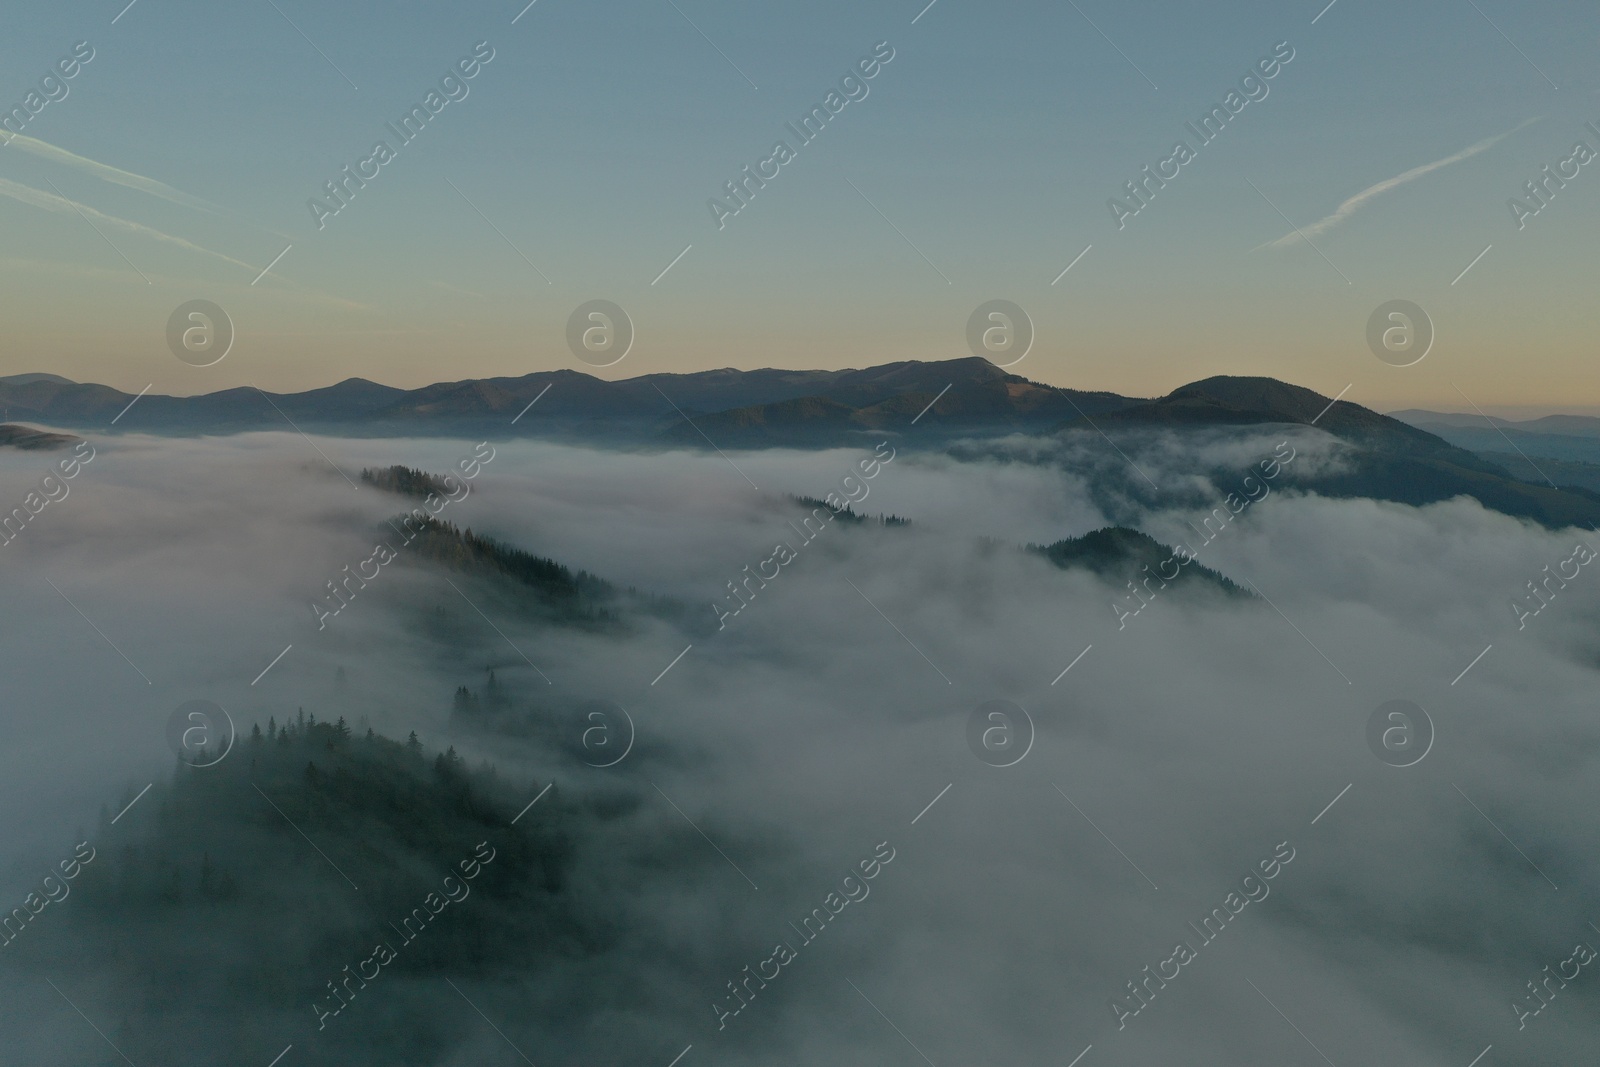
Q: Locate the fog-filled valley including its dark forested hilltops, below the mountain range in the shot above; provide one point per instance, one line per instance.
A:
(737, 759)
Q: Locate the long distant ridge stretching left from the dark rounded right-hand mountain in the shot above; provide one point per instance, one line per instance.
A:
(735, 409)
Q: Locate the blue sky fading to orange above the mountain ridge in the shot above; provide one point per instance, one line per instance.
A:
(178, 162)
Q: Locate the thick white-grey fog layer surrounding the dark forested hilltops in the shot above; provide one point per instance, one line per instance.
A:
(1172, 759)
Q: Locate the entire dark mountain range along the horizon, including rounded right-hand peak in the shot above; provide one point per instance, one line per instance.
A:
(1418, 460)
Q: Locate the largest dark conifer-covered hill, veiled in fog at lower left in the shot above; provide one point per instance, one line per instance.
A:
(231, 895)
